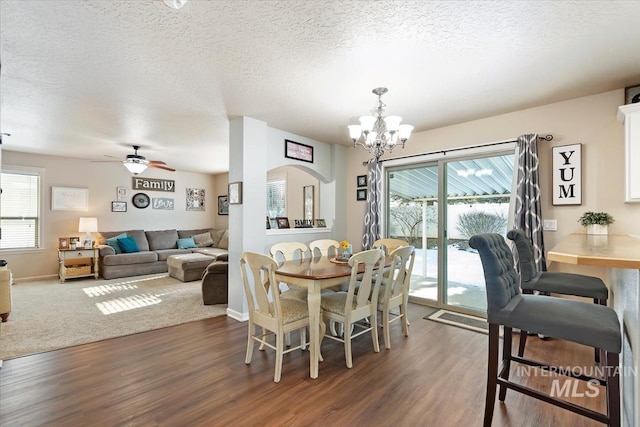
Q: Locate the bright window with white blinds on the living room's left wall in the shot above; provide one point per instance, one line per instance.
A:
(20, 209)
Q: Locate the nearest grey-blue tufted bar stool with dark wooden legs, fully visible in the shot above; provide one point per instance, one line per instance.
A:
(592, 325)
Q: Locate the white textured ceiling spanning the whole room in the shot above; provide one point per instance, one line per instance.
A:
(89, 78)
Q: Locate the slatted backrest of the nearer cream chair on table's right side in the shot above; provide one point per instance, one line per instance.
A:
(364, 287)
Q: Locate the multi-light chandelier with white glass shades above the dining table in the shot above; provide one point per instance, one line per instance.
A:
(378, 134)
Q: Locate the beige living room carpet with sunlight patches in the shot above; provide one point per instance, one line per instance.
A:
(49, 315)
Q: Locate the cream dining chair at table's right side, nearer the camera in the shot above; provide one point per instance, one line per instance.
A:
(351, 307)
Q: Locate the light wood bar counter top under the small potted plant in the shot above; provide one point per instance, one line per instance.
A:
(613, 250)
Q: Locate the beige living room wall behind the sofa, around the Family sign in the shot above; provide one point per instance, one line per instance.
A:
(101, 179)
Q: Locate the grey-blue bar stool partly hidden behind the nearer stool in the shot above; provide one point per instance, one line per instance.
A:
(553, 282)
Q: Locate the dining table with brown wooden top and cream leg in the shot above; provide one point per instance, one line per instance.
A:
(314, 274)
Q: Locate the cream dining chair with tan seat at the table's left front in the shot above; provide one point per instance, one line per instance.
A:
(275, 315)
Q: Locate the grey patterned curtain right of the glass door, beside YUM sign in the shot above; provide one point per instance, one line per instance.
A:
(528, 209)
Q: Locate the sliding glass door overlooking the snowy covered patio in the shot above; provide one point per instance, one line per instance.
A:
(437, 206)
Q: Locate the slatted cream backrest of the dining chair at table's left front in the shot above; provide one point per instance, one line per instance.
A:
(258, 273)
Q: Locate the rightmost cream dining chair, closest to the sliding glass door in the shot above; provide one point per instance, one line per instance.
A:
(394, 291)
